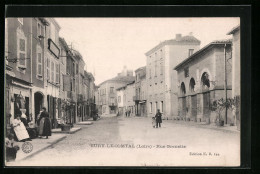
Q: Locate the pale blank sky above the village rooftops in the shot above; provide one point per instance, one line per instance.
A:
(109, 44)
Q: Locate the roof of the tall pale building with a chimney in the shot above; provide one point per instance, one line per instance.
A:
(187, 39)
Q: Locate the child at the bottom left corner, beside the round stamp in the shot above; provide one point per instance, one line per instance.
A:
(11, 149)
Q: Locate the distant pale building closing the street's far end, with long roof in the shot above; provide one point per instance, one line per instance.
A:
(107, 93)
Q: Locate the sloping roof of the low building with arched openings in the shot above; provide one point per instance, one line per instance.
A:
(193, 56)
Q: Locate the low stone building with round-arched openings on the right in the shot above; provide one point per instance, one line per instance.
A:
(201, 81)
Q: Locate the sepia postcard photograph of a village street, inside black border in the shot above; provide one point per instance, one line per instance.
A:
(129, 91)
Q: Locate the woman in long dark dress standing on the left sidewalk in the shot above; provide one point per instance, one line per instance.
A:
(45, 124)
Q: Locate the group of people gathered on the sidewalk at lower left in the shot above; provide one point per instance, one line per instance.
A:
(20, 131)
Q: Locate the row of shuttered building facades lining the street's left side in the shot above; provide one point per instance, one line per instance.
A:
(41, 70)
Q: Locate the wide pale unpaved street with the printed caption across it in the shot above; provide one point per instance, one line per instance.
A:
(132, 141)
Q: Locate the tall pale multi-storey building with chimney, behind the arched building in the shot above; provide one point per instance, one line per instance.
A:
(161, 80)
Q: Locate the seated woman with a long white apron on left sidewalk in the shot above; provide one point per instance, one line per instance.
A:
(19, 129)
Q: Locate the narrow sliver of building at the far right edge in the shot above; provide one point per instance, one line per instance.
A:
(236, 81)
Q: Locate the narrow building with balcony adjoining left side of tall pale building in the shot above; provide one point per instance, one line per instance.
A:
(140, 92)
